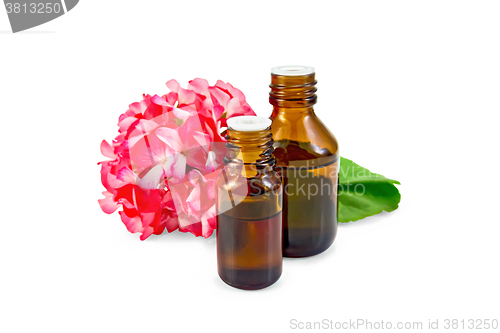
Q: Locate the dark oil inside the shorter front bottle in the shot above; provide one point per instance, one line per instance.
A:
(249, 251)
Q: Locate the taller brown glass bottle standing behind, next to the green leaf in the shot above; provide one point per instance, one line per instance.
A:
(307, 156)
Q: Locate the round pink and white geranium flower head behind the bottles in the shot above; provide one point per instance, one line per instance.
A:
(162, 165)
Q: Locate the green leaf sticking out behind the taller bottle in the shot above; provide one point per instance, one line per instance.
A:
(363, 193)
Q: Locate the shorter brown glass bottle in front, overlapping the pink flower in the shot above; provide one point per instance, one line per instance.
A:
(249, 205)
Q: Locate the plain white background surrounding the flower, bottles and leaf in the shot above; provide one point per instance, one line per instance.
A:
(410, 89)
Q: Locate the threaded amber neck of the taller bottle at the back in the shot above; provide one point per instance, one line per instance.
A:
(292, 91)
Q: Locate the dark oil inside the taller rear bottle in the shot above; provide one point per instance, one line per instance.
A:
(309, 176)
